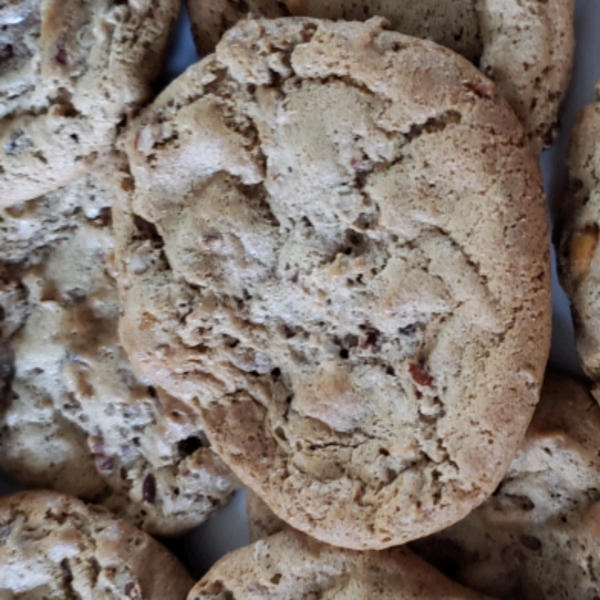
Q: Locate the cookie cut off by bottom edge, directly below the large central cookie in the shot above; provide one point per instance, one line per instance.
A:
(291, 566)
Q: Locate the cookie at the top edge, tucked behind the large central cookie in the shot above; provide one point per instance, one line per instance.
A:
(526, 47)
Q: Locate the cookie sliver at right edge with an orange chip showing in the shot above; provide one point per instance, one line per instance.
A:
(576, 238)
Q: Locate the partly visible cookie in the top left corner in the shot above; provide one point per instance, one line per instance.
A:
(70, 73)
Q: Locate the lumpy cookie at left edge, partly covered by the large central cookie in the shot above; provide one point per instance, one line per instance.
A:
(73, 415)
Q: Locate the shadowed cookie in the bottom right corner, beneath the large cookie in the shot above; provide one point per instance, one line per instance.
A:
(538, 535)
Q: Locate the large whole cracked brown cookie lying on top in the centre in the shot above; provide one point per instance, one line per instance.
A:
(334, 244)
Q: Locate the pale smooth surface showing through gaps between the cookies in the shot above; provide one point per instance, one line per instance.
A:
(228, 529)
